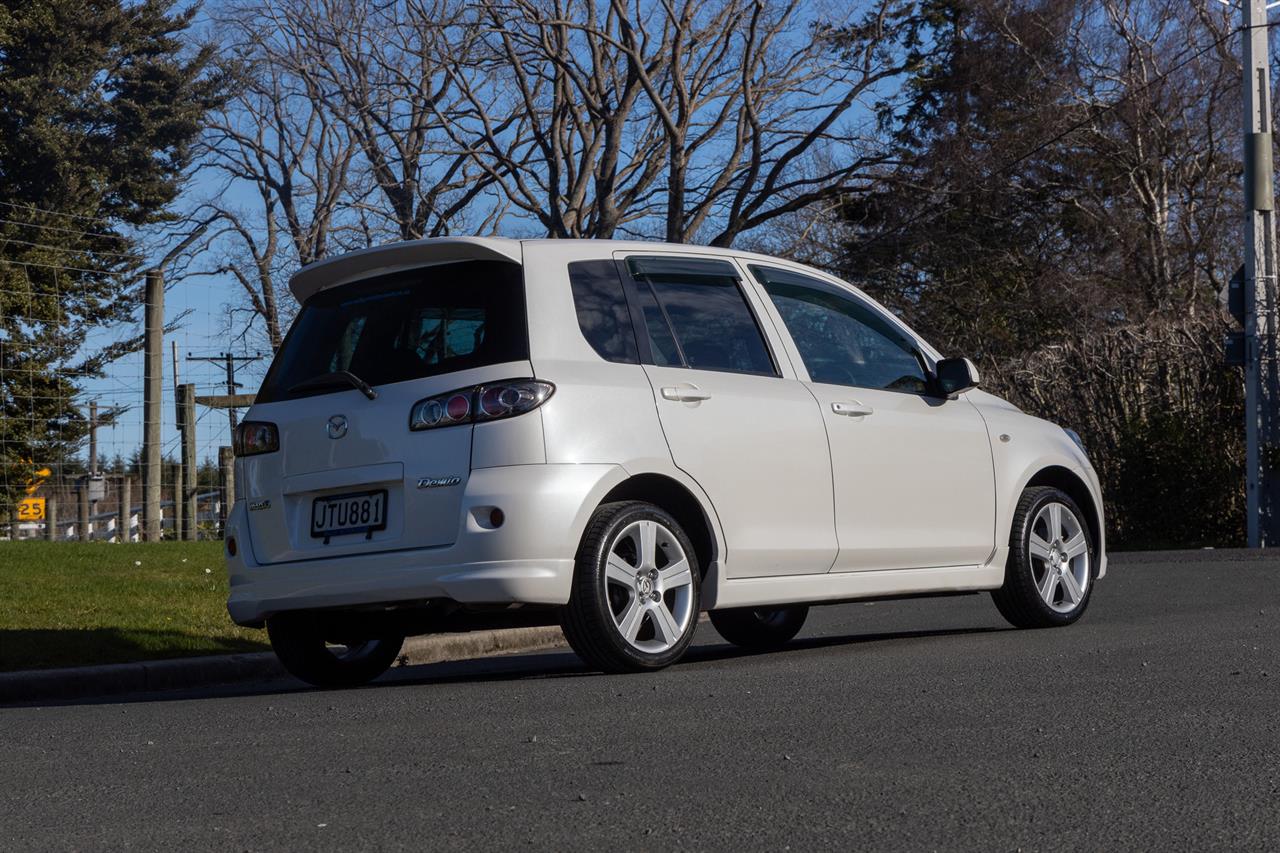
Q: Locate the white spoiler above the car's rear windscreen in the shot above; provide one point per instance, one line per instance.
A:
(397, 257)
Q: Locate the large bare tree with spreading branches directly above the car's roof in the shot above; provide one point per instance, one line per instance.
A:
(691, 118)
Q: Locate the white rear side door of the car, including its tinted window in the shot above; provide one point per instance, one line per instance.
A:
(752, 437)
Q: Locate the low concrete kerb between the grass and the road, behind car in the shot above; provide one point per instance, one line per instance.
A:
(147, 677)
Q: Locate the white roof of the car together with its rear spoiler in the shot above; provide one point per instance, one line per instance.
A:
(435, 250)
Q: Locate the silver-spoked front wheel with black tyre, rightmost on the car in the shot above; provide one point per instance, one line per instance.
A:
(1052, 564)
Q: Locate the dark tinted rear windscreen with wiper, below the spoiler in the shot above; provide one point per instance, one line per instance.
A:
(405, 326)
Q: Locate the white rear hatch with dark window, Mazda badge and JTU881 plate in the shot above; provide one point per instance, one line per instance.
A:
(350, 477)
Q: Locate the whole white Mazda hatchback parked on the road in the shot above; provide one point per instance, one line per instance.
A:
(614, 437)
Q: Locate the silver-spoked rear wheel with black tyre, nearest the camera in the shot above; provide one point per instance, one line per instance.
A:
(636, 599)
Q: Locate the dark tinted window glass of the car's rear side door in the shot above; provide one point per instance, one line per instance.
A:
(697, 308)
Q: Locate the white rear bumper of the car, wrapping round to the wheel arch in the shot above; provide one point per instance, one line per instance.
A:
(528, 560)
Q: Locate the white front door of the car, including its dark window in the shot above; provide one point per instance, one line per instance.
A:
(913, 471)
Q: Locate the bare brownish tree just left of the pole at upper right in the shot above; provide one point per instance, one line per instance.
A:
(1158, 84)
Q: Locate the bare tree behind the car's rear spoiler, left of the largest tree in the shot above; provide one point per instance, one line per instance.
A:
(381, 70)
